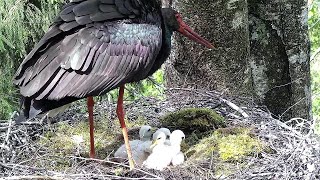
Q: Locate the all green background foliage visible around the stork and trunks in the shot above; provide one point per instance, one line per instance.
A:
(23, 22)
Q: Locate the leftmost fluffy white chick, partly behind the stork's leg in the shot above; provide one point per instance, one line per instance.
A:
(138, 147)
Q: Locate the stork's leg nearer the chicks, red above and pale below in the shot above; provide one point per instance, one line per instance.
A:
(120, 113)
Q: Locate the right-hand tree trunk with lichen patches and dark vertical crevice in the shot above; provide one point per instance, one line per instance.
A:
(280, 51)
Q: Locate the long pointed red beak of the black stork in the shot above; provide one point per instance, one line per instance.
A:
(188, 32)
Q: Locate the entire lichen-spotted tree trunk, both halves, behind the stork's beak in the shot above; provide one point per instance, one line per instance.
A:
(262, 51)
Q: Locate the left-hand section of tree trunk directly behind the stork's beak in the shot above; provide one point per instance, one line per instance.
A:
(225, 24)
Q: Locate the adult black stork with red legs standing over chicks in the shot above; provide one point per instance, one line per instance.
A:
(95, 46)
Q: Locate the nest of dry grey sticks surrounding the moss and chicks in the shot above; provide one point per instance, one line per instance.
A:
(293, 149)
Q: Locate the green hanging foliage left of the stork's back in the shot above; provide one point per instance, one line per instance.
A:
(22, 24)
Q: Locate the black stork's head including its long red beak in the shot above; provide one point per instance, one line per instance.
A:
(174, 22)
